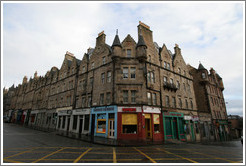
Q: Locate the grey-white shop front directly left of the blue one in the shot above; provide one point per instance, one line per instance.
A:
(80, 121)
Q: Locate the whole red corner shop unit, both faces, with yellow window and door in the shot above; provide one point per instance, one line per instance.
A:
(139, 123)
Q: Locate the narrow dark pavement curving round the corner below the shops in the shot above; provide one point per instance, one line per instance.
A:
(113, 142)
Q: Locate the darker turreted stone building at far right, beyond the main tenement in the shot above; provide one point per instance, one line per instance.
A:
(209, 88)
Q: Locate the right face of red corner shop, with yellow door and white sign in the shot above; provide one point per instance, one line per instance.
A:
(152, 123)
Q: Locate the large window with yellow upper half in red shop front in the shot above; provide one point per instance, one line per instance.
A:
(129, 123)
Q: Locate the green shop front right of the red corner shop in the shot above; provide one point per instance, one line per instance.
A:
(173, 124)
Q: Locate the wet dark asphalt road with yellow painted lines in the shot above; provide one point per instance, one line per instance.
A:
(24, 145)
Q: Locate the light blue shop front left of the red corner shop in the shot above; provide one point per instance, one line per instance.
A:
(104, 121)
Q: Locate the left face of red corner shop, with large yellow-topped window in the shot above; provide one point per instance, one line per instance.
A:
(131, 124)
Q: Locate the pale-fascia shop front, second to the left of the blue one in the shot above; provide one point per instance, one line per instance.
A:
(63, 120)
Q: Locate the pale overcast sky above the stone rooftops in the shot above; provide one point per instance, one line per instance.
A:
(36, 36)
